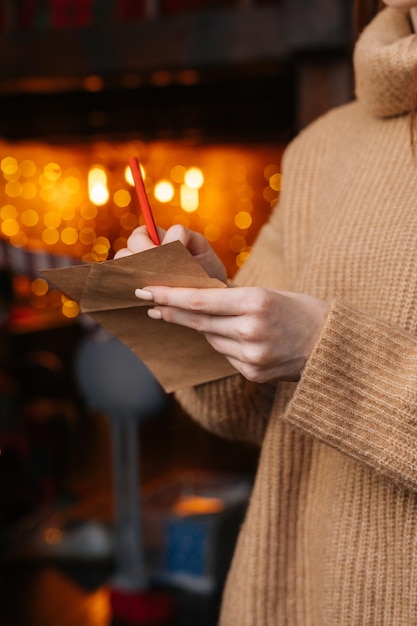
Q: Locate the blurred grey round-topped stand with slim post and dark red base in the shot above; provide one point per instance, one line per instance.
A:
(115, 382)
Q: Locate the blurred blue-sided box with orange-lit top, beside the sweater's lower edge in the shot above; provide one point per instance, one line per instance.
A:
(191, 522)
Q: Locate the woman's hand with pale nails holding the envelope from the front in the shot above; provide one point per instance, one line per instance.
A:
(265, 334)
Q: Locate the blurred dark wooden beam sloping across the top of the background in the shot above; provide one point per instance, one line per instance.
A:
(227, 37)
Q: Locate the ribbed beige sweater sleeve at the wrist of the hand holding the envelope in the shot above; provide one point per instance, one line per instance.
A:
(358, 393)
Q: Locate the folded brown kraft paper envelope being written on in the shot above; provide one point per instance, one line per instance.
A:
(177, 356)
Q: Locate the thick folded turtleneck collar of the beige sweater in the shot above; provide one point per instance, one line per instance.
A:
(384, 59)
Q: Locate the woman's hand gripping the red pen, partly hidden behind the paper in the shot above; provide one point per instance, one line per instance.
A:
(195, 243)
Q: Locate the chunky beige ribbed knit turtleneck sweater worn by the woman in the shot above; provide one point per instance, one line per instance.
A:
(330, 537)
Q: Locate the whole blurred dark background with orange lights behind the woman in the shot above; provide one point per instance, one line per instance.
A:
(206, 94)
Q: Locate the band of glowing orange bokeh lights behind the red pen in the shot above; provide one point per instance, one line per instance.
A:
(64, 199)
